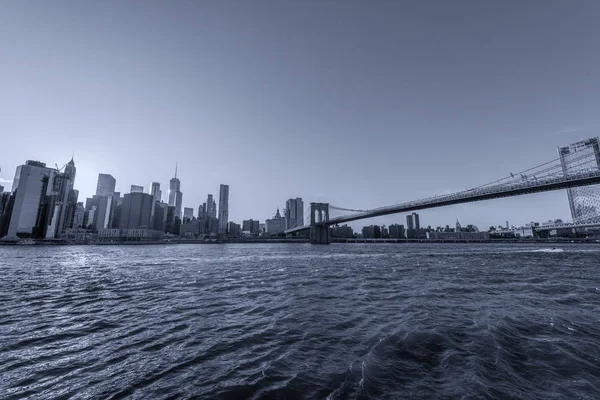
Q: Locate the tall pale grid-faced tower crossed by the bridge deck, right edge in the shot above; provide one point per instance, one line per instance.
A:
(584, 201)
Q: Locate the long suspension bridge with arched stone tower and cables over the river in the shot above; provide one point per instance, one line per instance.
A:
(566, 172)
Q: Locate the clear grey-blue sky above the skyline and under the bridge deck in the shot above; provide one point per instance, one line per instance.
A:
(356, 103)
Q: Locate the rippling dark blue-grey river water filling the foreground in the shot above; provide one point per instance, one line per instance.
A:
(290, 321)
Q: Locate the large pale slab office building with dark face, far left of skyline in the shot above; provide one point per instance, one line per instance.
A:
(30, 188)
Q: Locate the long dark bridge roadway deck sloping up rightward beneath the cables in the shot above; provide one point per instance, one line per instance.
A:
(554, 182)
